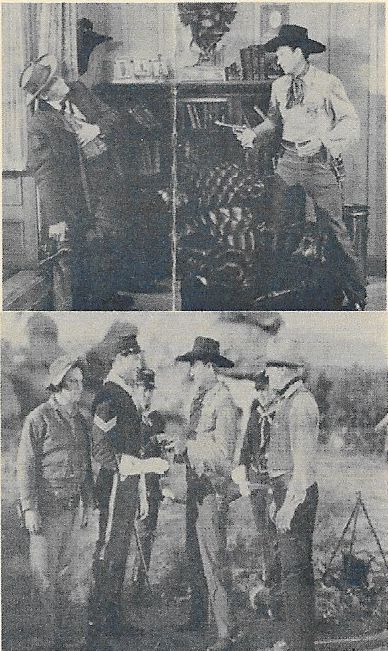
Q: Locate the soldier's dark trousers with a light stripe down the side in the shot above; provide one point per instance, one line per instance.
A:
(112, 549)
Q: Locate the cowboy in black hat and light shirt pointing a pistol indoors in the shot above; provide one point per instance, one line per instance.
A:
(318, 123)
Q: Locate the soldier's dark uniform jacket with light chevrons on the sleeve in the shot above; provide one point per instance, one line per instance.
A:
(117, 429)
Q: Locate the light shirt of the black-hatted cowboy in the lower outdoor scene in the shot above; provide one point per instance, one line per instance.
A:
(211, 451)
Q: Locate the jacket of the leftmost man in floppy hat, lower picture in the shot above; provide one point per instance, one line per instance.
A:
(54, 457)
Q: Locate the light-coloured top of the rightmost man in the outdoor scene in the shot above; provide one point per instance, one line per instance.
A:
(293, 440)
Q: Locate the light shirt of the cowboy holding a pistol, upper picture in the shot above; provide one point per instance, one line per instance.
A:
(325, 113)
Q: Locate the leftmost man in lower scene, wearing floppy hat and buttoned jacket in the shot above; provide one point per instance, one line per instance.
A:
(54, 475)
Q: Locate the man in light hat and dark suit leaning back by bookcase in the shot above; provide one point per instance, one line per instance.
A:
(73, 153)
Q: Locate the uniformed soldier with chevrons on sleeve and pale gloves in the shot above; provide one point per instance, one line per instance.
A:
(117, 447)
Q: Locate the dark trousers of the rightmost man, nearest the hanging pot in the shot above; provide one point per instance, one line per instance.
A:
(295, 549)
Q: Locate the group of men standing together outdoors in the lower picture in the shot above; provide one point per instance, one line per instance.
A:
(272, 462)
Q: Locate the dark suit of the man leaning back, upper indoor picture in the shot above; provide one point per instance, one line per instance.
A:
(86, 194)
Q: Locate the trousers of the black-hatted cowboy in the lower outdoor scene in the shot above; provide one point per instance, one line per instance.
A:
(206, 542)
